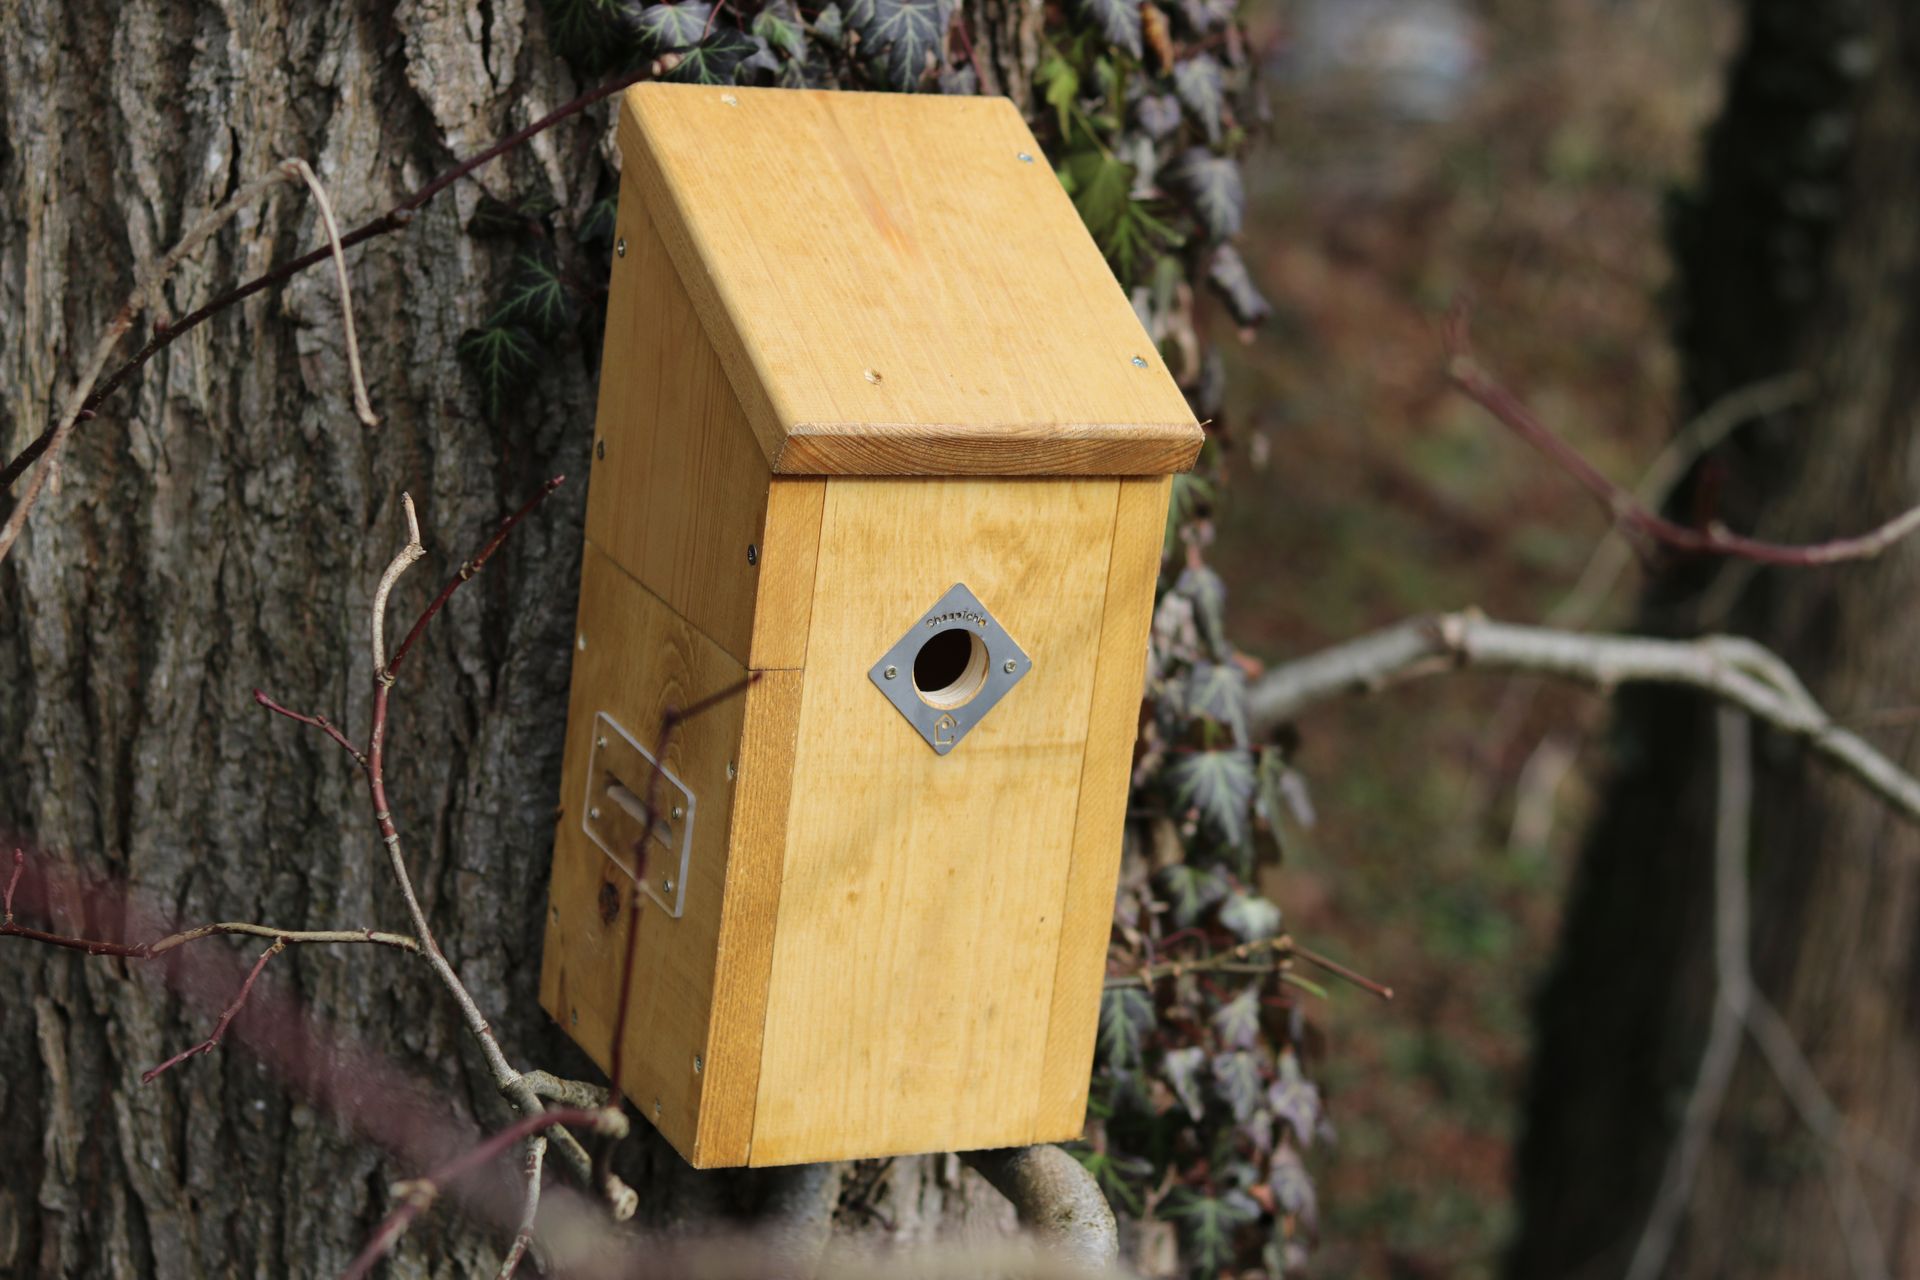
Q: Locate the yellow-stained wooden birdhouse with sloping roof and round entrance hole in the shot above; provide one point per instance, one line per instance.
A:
(878, 492)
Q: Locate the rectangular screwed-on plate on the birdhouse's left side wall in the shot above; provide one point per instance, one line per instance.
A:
(623, 780)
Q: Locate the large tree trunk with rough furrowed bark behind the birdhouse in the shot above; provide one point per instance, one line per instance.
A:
(222, 529)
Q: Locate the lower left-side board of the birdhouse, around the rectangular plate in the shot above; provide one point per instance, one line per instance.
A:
(638, 661)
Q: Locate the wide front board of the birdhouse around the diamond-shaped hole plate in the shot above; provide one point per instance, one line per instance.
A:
(921, 903)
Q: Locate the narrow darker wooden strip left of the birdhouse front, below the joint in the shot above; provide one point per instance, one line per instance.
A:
(757, 847)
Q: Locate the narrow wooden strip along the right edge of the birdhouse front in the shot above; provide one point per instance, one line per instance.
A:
(1088, 916)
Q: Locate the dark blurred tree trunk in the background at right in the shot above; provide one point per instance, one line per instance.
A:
(1800, 252)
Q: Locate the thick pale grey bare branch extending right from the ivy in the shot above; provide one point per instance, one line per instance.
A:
(1733, 669)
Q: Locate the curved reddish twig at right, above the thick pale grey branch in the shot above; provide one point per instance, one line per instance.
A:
(1627, 510)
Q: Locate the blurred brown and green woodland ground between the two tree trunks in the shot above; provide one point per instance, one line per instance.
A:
(1522, 156)
